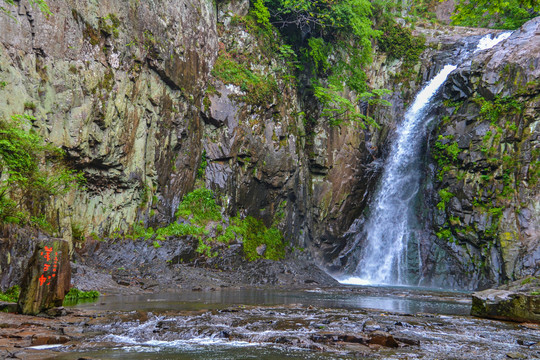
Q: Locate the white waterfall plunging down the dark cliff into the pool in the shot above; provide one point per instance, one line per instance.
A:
(390, 224)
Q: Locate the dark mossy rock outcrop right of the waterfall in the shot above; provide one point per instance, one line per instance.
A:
(486, 168)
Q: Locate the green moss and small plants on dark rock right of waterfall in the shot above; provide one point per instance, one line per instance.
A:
(494, 175)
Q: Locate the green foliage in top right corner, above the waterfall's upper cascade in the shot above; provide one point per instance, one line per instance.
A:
(498, 14)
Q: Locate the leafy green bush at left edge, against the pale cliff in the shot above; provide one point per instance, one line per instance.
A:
(35, 173)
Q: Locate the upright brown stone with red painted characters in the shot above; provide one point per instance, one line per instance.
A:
(47, 278)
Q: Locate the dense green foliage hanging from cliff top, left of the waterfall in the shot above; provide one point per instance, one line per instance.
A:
(333, 42)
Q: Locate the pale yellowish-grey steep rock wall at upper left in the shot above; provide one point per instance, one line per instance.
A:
(114, 85)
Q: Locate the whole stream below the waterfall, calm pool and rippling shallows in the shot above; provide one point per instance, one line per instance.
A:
(347, 322)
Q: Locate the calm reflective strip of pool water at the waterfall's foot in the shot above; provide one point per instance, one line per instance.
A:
(403, 302)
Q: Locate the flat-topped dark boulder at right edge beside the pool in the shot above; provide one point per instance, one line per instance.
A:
(506, 305)
